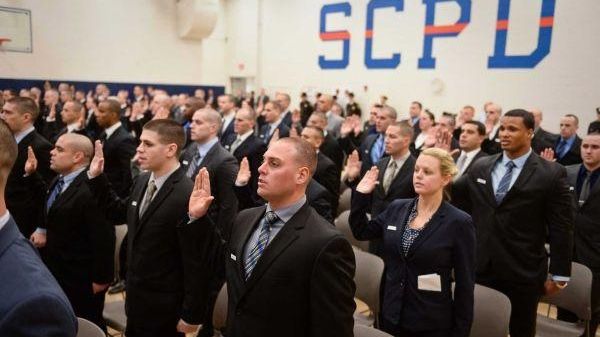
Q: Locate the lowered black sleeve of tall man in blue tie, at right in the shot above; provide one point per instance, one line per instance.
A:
(560, 217)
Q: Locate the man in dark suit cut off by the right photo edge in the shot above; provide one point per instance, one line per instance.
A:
(585, 190)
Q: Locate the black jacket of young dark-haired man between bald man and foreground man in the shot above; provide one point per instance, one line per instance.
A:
(164, 280)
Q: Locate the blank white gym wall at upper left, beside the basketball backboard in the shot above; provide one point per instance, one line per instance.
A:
(118, 41)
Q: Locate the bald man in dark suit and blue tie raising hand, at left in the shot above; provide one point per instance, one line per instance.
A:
(78, 242)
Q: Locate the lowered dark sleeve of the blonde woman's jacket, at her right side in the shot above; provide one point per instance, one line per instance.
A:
(464, 273)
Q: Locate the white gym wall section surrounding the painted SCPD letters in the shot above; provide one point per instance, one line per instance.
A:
(566, 81)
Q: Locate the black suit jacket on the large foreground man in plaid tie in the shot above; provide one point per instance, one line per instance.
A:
(302, 284)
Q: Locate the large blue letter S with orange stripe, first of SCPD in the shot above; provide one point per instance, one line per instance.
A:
(340, 35)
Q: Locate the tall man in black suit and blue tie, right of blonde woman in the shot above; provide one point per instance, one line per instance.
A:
(505, 191)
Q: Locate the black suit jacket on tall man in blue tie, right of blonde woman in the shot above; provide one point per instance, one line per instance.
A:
(511, 235)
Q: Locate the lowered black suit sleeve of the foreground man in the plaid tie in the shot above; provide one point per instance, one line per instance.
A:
(332, 291)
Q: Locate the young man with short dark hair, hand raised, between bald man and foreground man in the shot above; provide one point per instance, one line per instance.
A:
(166, 291)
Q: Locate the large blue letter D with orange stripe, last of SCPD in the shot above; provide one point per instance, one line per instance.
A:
(501, 60)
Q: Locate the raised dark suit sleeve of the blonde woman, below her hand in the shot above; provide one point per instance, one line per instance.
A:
(362, 228)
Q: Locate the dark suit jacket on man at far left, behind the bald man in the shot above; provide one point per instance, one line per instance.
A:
(26, 206)
